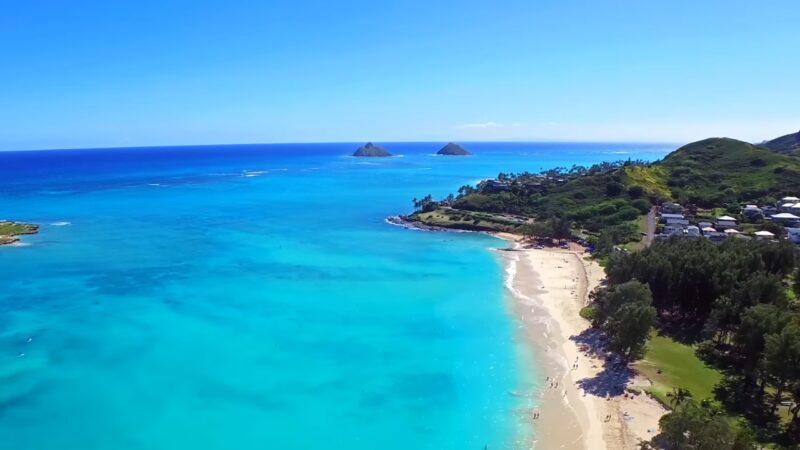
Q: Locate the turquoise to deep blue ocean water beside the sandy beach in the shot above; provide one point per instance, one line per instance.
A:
(252, 297)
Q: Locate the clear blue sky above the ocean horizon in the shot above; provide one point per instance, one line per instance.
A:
(127, 73)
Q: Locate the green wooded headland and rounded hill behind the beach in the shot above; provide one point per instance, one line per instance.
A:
(611, 198)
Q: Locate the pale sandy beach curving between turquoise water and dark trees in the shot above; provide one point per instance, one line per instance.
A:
(589, 401)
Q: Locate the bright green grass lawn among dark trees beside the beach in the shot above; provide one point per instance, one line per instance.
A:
(680, 367)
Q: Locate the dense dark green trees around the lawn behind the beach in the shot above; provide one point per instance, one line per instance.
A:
(736, 300)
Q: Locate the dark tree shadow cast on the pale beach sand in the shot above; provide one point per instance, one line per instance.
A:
(616, 373)
